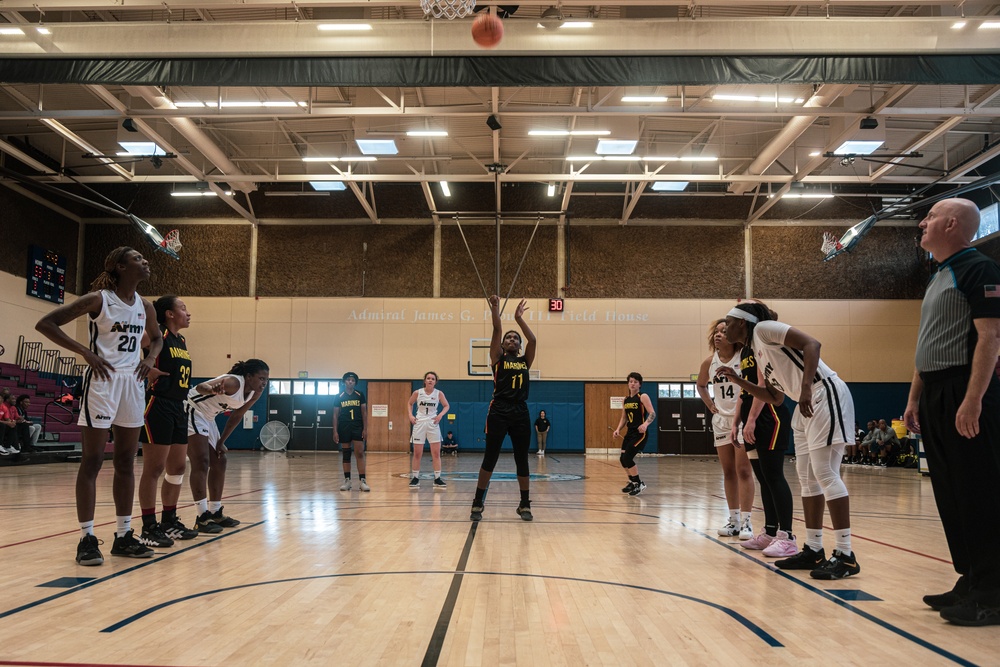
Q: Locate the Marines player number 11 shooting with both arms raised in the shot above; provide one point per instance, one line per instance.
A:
(509, 407)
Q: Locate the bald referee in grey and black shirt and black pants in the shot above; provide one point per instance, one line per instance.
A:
(955, 403)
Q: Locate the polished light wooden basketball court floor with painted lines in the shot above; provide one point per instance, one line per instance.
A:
(402, 577)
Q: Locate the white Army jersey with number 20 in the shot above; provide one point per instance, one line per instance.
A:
(115, 333)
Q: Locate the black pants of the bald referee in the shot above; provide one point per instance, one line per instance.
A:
(965, 475)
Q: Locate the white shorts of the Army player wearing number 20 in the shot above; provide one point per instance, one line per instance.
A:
(118, 401)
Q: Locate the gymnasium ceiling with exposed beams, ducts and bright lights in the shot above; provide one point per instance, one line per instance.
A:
(726, 136)
